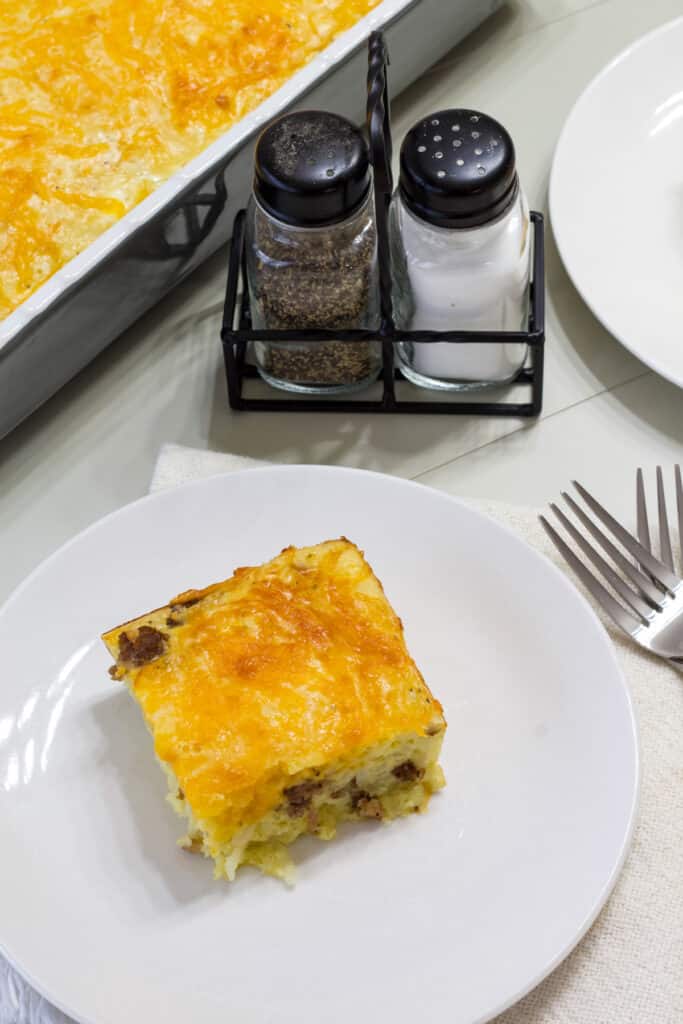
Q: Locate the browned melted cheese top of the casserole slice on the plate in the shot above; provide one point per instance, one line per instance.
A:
(283, 669)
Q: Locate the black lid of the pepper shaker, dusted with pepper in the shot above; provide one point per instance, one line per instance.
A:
(312, 168)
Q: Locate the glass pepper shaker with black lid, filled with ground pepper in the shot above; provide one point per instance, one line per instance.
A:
(312, 252)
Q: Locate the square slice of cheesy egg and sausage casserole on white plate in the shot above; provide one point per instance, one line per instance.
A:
(282, 702)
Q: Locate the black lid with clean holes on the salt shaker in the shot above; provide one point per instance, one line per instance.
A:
(458, 169)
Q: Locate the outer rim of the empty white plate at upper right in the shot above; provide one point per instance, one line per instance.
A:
(584, 97)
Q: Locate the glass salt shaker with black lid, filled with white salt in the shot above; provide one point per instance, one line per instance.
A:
(461, 250)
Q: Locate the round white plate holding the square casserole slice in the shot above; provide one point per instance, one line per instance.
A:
(451, 916)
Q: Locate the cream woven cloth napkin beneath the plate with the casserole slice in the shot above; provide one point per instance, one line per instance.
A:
(629, 968)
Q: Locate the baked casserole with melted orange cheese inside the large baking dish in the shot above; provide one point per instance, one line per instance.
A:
(102, 101)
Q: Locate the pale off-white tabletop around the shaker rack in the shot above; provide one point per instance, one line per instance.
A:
(93, 448)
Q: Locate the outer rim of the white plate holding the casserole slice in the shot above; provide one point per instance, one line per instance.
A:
(556, 572)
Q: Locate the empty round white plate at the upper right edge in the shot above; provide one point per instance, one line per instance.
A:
(617, 199)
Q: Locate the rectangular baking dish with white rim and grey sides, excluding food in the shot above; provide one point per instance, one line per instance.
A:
(96, 296)
